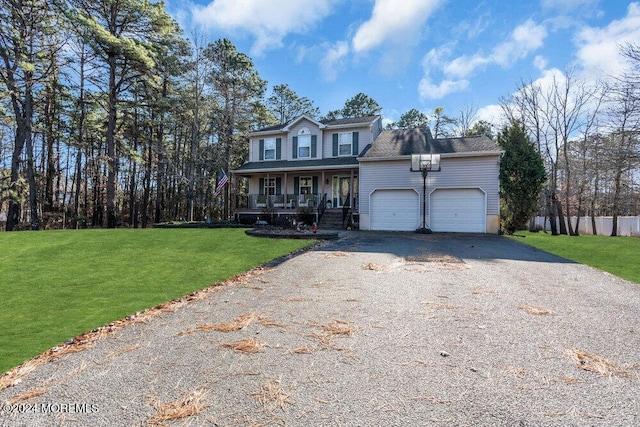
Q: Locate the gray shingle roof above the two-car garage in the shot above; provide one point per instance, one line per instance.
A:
(404, 142)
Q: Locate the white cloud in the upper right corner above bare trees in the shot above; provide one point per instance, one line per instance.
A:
(598, 52)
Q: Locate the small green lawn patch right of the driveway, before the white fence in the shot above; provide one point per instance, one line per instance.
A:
(616, 255)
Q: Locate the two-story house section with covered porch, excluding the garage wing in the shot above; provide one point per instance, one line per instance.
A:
(305, 163)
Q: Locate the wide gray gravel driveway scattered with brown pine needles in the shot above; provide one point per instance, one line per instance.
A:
(388, 329)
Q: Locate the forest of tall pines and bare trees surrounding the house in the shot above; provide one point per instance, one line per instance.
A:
(110, 116)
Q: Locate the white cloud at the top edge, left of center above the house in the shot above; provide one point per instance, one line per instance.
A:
(268, 21)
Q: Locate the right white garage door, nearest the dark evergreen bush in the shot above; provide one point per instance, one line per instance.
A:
(458, 210)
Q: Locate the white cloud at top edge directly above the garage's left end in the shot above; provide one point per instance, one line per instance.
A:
(393, 20)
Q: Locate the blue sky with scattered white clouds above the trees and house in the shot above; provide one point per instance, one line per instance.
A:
(420, 54)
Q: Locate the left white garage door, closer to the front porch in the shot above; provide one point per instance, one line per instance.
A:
(395, 210)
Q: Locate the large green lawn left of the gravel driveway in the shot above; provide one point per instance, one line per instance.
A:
(59, 284)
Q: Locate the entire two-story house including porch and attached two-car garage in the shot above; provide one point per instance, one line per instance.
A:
(353, 166)
